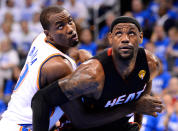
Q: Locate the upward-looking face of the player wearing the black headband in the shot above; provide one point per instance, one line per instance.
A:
(125, 38)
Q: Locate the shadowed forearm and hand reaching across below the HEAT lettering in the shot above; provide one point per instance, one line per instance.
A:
(83, 119)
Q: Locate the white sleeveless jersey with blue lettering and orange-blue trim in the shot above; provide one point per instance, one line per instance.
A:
(19, 108)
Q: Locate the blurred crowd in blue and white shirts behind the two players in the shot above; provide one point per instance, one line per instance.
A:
(19, 21)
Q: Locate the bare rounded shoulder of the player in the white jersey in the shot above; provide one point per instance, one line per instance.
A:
(55, 68)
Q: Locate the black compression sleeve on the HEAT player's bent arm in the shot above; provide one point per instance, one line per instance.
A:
(45, 99)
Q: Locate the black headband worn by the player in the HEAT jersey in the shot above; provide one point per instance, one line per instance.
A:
(125, 19)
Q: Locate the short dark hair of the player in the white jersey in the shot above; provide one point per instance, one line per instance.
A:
(46, 13)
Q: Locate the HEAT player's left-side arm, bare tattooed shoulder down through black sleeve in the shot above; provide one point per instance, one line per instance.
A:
(60, 92)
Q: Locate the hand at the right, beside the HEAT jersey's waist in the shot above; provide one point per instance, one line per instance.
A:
(149, 105)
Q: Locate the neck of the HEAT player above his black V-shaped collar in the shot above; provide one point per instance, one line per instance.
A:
(124, 67)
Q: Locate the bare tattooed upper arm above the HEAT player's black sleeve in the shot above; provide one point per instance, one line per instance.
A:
(88, 80)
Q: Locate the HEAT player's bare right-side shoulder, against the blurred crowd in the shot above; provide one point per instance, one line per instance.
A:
(153, 64)
